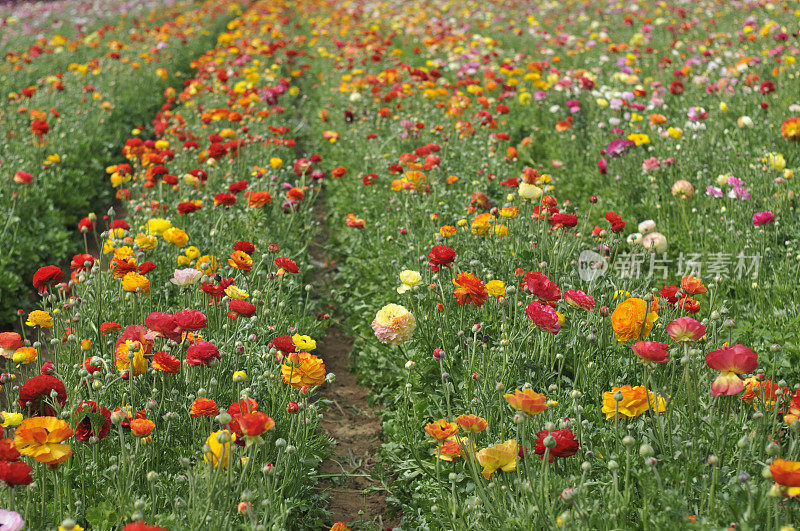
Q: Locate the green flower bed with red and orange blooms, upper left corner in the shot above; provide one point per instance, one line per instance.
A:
(69, 104)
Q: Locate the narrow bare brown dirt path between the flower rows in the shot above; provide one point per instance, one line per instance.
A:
(355, 497)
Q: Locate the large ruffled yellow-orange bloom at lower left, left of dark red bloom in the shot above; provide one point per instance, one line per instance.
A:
(42, 438)
